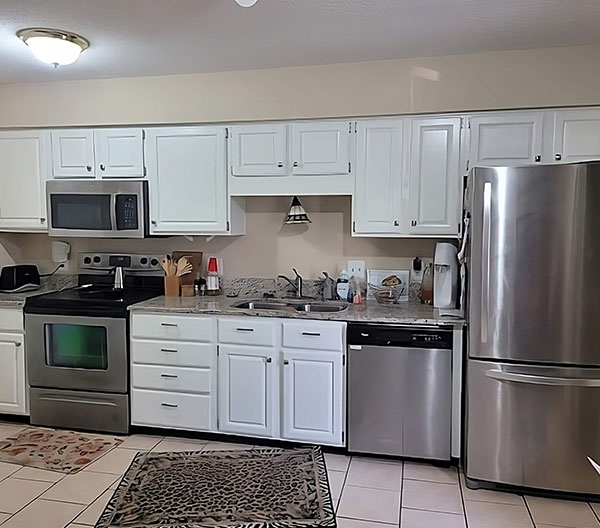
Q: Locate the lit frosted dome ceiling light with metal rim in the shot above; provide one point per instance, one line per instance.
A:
(53, 46)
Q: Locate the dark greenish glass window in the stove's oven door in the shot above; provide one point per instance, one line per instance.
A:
(76, 346)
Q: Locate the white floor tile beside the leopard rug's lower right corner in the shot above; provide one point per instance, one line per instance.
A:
(370, 504)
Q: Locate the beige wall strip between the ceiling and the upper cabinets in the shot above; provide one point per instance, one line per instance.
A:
(531, 78)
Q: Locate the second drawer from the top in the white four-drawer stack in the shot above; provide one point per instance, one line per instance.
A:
(177, 354)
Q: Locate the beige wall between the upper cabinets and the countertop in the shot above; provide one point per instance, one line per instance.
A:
(268, 248)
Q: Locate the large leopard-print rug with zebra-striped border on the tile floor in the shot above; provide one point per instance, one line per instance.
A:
(266, 488)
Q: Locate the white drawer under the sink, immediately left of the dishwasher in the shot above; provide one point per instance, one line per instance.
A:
(313, 335)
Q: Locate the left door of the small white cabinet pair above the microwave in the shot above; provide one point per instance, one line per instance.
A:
(73, 154)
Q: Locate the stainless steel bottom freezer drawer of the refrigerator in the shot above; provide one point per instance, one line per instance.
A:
(533, 426)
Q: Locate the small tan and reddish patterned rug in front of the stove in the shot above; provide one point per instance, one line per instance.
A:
(62, 451)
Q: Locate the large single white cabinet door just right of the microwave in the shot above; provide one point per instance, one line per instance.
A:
(187, 176)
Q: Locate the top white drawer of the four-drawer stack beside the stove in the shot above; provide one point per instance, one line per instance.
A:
(178, 327)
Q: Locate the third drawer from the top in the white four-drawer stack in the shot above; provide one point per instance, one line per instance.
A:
(176, 379)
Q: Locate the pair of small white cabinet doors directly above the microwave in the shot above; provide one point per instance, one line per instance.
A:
(101, 153)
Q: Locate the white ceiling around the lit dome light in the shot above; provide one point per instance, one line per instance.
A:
(158, 37)
